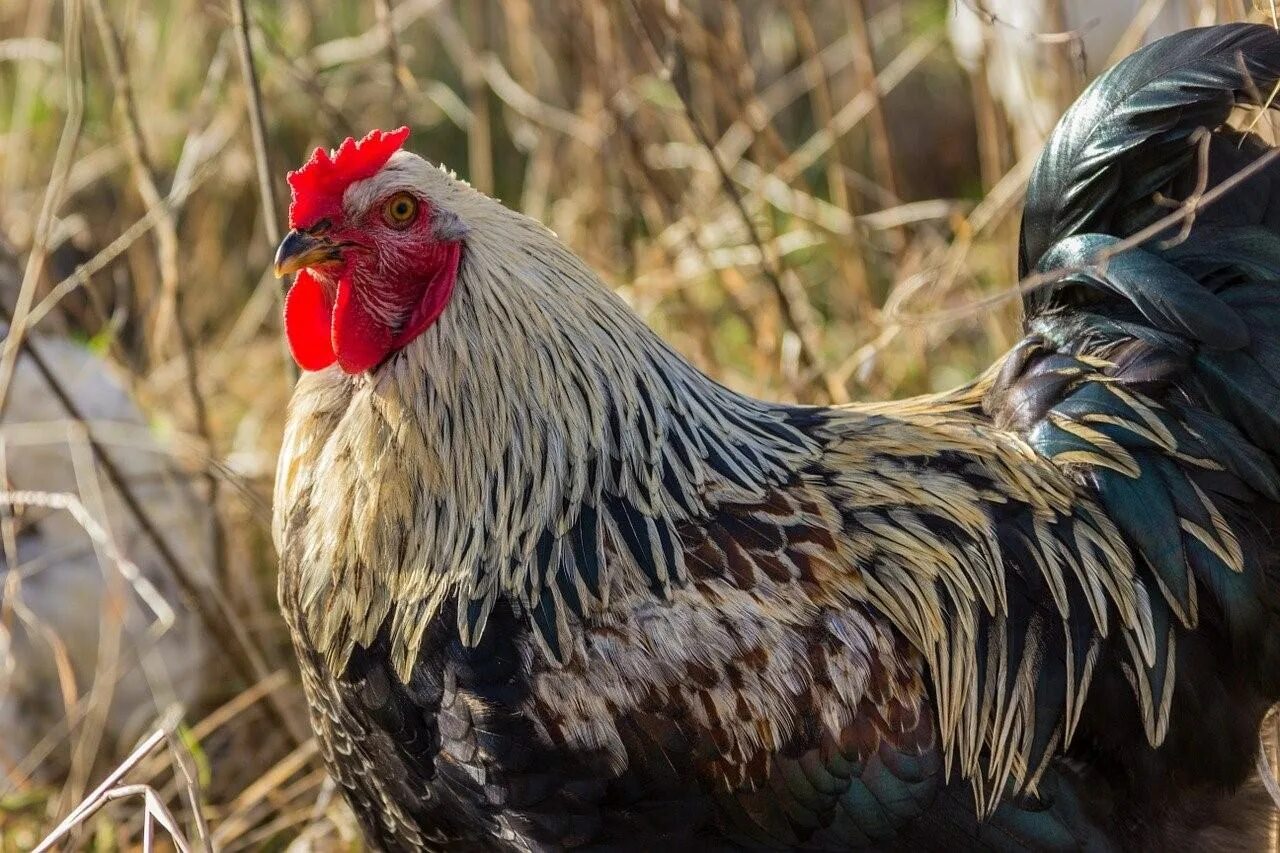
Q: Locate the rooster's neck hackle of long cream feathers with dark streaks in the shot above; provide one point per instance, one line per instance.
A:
(537, 444)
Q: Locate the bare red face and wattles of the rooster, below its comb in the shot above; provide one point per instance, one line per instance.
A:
(390, 286)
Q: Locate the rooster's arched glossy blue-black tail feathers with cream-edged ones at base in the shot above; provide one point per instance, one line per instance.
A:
(1190, 325)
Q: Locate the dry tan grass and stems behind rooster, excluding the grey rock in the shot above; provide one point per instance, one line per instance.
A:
(810, 199)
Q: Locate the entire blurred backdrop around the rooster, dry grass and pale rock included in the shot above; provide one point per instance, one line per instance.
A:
(815, 200)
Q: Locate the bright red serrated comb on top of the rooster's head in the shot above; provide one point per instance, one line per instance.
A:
(319, 185)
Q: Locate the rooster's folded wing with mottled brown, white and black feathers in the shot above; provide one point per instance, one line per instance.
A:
(793, 714)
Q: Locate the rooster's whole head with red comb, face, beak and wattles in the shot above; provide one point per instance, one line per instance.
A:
(377, 258)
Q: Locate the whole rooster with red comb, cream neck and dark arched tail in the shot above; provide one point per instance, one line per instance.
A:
(551, 587)
